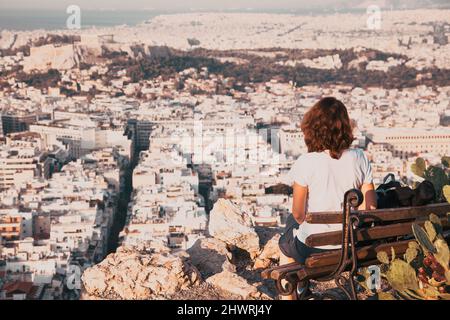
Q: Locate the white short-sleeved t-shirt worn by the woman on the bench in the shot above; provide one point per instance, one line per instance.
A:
(327, 180)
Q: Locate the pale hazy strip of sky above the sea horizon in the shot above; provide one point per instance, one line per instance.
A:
(166, 4)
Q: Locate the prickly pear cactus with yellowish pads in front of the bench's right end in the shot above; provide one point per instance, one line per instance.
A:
(424, 271)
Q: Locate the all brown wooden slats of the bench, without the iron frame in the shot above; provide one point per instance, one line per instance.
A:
(397, 222)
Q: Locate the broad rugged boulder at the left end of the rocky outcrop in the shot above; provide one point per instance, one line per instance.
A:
(129, 274)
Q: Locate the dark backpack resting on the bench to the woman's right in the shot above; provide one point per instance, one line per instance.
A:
(391, 194)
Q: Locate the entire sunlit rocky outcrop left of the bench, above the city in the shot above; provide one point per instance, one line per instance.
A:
(229, 262)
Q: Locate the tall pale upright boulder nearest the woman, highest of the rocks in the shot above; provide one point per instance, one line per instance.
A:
(228, 224)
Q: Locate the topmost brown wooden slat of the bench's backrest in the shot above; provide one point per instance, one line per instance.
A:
(394, 214)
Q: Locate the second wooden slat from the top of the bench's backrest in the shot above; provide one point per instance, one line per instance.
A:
(364, 234)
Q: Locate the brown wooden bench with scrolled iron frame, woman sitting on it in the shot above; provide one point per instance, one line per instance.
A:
(363, 235)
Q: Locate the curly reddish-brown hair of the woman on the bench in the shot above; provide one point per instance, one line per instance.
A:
(327, 126)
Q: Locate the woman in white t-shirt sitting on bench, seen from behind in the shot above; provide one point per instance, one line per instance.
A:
(321, 177)
